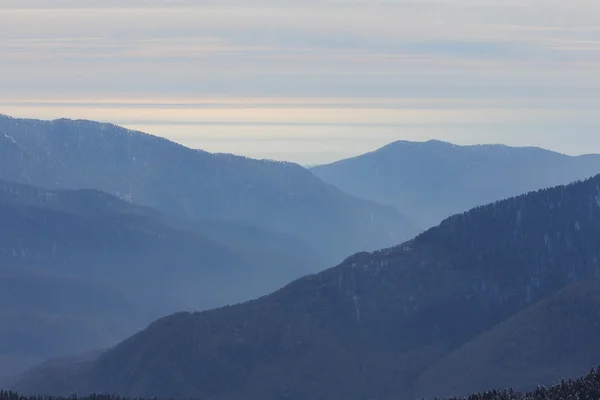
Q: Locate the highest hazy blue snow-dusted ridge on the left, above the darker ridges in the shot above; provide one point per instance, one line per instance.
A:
(152, 171)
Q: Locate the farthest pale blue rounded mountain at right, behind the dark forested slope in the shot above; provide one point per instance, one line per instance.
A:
(432, 180)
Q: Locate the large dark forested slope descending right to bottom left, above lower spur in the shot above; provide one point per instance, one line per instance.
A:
(371, 326)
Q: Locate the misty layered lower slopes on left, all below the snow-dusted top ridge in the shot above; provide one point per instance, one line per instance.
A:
(88, 266)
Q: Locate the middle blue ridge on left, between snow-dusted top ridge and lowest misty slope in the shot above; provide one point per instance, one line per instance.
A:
(97, 236)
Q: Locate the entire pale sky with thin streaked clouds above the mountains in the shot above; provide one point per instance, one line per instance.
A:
(310, 81)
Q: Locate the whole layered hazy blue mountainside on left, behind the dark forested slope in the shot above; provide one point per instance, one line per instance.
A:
(209, 230)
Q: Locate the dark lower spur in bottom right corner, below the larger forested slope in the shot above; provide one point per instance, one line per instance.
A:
(549, 341)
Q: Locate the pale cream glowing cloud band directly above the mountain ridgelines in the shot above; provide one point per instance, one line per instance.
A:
(318, 130)
